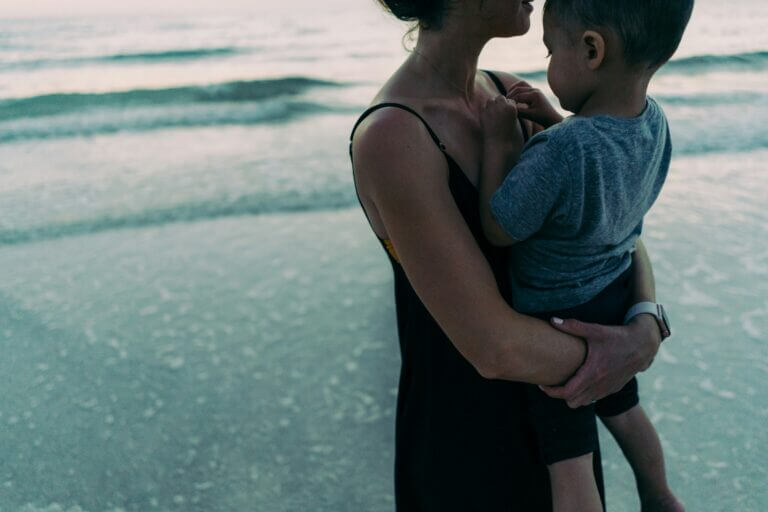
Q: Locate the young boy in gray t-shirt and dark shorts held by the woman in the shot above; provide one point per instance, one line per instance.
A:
(573, 204)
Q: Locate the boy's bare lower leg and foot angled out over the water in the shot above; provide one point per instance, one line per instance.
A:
(637, 438)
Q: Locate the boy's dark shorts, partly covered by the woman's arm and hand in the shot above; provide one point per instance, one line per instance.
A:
(564, 433)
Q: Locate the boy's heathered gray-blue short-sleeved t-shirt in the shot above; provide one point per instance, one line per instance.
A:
(576, 201)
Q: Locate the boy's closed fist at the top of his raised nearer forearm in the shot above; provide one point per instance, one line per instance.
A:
(501, 129)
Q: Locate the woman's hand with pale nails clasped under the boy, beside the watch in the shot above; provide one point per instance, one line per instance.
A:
(615, 354)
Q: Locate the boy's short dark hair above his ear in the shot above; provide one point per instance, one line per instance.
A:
(650, 30)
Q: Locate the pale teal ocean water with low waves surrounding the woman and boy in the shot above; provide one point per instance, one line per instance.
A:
(195, 316)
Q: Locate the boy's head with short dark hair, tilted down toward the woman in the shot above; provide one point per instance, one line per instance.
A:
(627, 37)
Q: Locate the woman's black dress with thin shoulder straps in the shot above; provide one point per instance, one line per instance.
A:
(462, 442)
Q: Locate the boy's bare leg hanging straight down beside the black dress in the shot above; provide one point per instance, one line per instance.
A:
(573, 486)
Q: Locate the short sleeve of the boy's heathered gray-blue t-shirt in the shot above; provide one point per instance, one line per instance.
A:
(532, 190)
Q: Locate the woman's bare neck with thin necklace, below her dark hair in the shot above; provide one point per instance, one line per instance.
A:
(448, 60)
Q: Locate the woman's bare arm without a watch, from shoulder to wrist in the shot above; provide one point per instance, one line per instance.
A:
(403, 175)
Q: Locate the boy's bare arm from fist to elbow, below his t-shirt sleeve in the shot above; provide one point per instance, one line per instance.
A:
(502, 146)
